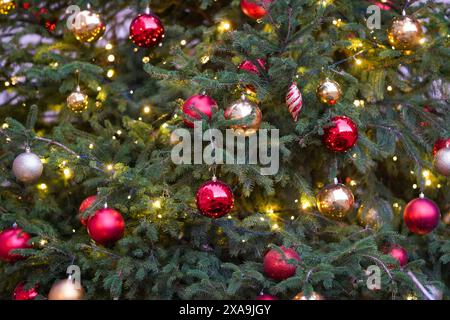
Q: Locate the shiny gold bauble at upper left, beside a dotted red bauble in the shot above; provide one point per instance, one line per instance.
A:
(87, 26)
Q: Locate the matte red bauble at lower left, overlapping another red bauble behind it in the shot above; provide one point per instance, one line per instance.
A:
(106, 226)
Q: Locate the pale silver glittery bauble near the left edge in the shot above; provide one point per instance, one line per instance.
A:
(27, 167)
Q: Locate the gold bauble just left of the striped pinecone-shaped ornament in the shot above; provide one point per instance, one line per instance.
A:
(244, 109)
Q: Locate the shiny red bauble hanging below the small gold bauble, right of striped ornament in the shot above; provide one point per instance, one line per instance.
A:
(342, 135)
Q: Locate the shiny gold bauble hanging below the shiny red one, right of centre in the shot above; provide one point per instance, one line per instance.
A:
(335, 201)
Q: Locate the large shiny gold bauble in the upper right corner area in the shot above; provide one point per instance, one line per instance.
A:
(405, 33)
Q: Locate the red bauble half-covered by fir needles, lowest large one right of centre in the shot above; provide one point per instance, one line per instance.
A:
(276, 265)
